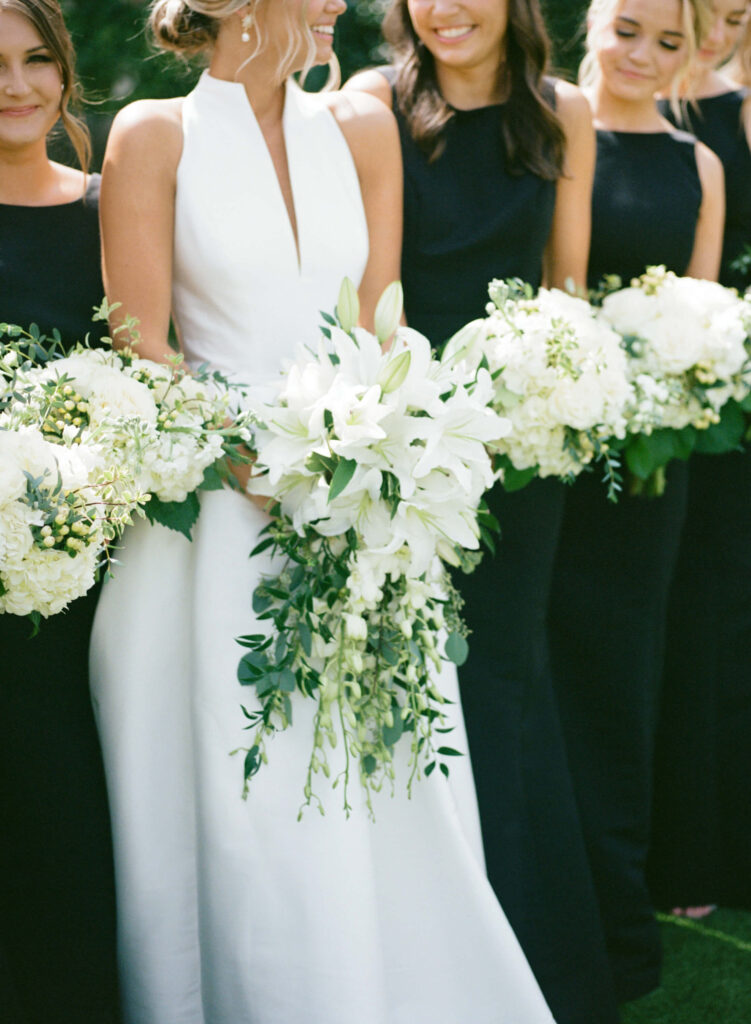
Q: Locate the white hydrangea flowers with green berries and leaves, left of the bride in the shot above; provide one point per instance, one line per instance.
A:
(87, 441)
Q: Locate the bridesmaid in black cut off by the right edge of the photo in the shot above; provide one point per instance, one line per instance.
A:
(701, 848)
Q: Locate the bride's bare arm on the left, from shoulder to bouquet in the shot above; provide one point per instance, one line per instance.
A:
(138, 219)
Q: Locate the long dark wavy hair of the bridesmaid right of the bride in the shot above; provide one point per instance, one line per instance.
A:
(532, 133)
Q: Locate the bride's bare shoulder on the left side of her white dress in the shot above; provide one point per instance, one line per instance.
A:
(149, 130)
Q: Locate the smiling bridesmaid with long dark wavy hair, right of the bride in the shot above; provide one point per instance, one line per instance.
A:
(498, 169)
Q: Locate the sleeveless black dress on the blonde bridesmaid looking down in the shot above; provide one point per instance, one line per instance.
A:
(613, 573)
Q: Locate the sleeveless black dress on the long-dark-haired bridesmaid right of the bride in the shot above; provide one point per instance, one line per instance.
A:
(468, 221)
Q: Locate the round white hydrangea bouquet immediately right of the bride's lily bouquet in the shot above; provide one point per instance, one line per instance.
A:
(559, 375)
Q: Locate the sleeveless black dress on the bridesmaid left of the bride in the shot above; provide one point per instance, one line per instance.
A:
(58, 961)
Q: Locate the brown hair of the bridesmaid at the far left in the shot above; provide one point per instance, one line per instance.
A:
(47, 18)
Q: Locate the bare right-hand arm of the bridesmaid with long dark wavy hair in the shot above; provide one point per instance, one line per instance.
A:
(567, 254)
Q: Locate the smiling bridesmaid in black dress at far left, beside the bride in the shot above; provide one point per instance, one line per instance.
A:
(57, 893)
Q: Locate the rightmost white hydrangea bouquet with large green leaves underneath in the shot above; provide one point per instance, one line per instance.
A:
(689, 363)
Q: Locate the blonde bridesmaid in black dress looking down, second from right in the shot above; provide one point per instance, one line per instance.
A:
(658, 199)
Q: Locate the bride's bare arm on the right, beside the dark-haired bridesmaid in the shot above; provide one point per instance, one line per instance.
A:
(373, 139)
